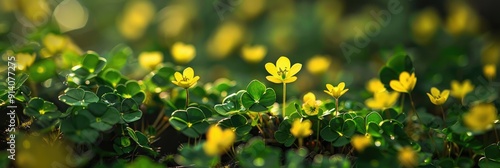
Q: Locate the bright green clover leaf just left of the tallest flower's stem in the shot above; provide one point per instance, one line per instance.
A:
(257, 97)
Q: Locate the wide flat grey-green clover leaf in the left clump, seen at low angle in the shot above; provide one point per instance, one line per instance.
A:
(78, 97)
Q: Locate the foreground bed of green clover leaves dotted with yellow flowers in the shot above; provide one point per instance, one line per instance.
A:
(111, 120)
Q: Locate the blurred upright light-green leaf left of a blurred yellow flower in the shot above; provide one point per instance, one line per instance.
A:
(118, 56)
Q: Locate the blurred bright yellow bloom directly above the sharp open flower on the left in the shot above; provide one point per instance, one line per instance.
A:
(183, 53)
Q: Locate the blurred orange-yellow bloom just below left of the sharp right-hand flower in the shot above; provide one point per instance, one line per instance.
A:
(382, 100)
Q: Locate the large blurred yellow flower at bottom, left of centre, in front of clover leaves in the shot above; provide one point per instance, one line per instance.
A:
(218, 140)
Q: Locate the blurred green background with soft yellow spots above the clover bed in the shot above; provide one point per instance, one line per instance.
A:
(335, 40)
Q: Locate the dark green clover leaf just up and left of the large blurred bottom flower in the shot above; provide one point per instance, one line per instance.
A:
(191, 122)
